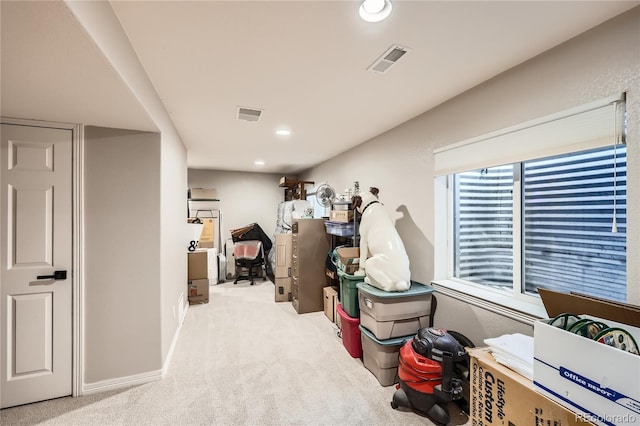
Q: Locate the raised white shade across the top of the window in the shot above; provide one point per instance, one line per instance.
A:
(593, 125)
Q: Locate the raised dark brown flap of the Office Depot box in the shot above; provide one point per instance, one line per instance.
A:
(557, 303)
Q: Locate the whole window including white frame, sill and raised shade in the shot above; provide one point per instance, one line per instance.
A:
(537, 205)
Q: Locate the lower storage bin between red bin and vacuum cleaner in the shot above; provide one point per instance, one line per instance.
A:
(381, 356)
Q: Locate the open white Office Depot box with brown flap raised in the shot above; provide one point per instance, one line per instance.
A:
(599, 382)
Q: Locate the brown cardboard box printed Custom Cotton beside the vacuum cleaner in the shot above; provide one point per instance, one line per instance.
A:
(500, 396)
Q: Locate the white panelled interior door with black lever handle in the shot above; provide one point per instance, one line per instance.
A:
(36, 231)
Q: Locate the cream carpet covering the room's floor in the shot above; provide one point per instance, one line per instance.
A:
(242, 359)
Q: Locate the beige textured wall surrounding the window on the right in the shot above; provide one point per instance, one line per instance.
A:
(602, 62)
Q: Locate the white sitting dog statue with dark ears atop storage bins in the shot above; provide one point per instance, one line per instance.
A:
(387, 268)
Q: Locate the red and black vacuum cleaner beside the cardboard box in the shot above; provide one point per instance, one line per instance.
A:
(426, 374)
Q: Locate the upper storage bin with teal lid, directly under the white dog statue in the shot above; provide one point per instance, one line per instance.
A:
(389, 314)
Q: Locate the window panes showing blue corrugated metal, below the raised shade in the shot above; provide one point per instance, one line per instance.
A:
(565, 237)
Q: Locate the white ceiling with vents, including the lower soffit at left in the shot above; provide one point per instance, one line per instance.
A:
(304, 63)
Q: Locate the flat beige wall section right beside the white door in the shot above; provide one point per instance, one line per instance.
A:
(122, 249)
